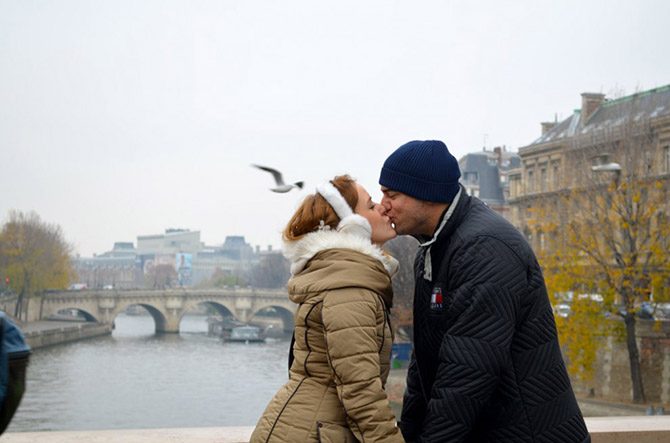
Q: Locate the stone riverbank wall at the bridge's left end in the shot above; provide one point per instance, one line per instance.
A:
(41, 334)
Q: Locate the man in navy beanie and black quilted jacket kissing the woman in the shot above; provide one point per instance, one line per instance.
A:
(486, 364)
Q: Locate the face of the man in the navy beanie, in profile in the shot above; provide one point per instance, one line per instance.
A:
(408, 215)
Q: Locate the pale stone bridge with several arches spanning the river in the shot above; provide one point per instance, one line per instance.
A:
(167, 307)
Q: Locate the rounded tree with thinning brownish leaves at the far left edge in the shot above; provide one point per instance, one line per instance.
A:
(34, 255)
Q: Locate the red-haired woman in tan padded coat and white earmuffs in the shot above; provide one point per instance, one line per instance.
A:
(341, 281)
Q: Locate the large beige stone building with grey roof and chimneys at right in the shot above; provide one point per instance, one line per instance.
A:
(631, 133)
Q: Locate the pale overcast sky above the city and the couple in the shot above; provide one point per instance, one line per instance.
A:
(126, 117)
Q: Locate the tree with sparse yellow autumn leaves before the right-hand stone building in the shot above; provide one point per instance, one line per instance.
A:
(608, 234)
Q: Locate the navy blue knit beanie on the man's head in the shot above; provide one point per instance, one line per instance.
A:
(425, 170)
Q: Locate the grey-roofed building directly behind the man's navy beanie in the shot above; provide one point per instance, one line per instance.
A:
(485, 175)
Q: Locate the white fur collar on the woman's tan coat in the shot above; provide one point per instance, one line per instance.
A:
(299, 252)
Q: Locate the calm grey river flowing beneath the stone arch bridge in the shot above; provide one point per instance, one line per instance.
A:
(137, 379)
